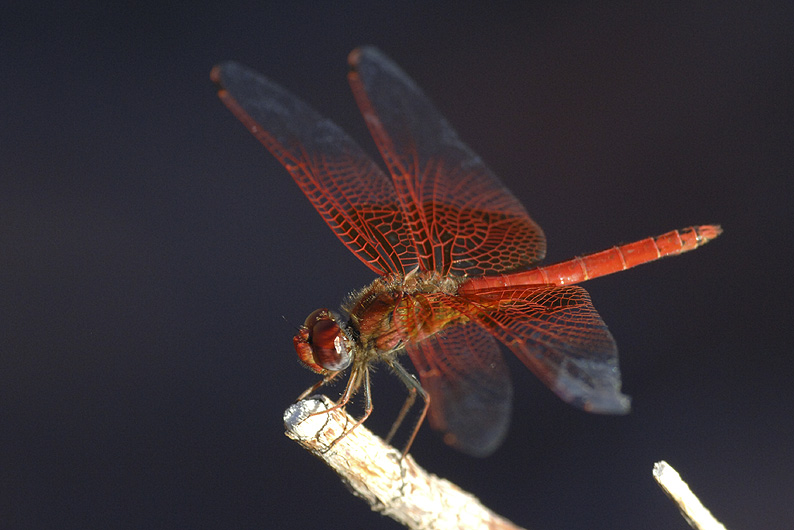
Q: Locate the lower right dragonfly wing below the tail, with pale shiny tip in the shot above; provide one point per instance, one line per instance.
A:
(560, 336)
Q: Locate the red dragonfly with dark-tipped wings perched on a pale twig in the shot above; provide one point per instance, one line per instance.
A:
(452, 247)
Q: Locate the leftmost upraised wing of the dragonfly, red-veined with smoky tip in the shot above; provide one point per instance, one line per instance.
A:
(351, 193)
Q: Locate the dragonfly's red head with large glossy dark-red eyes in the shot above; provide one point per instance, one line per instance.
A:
(322, 344)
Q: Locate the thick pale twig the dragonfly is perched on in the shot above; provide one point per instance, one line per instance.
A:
(374, 471)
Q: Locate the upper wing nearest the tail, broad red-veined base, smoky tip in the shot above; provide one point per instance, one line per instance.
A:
(462, 218)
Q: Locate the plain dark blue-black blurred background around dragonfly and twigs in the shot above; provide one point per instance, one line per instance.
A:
(149, 247)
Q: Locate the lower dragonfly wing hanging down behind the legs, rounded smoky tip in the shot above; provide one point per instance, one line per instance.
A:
(470, 391)
